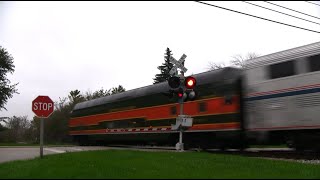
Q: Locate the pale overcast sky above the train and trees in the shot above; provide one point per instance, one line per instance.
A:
(63, 46)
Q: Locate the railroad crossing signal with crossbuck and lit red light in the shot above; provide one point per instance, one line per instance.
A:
(183, 87)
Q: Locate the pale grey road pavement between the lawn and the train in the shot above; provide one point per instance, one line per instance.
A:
(22, 153)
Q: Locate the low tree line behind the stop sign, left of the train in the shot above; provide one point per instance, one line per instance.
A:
(20, 129)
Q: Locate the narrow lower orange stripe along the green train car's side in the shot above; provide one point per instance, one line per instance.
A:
(217, 126)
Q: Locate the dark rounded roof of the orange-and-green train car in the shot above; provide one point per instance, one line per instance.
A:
(229, 73)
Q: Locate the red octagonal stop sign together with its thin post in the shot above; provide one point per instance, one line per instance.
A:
(43, 107)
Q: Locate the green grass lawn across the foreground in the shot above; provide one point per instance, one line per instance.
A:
(138, 164)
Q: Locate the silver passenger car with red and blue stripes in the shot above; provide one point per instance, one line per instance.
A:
(282, 93)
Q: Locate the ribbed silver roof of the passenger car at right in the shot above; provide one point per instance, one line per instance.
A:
(294, 53)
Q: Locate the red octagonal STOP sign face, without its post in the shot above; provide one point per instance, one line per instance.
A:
(42, 106)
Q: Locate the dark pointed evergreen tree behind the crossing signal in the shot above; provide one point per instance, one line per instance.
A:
(164, 68)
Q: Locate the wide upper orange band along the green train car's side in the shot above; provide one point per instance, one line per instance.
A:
(214, 106)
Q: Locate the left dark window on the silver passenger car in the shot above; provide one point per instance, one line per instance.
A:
(281, 69)
